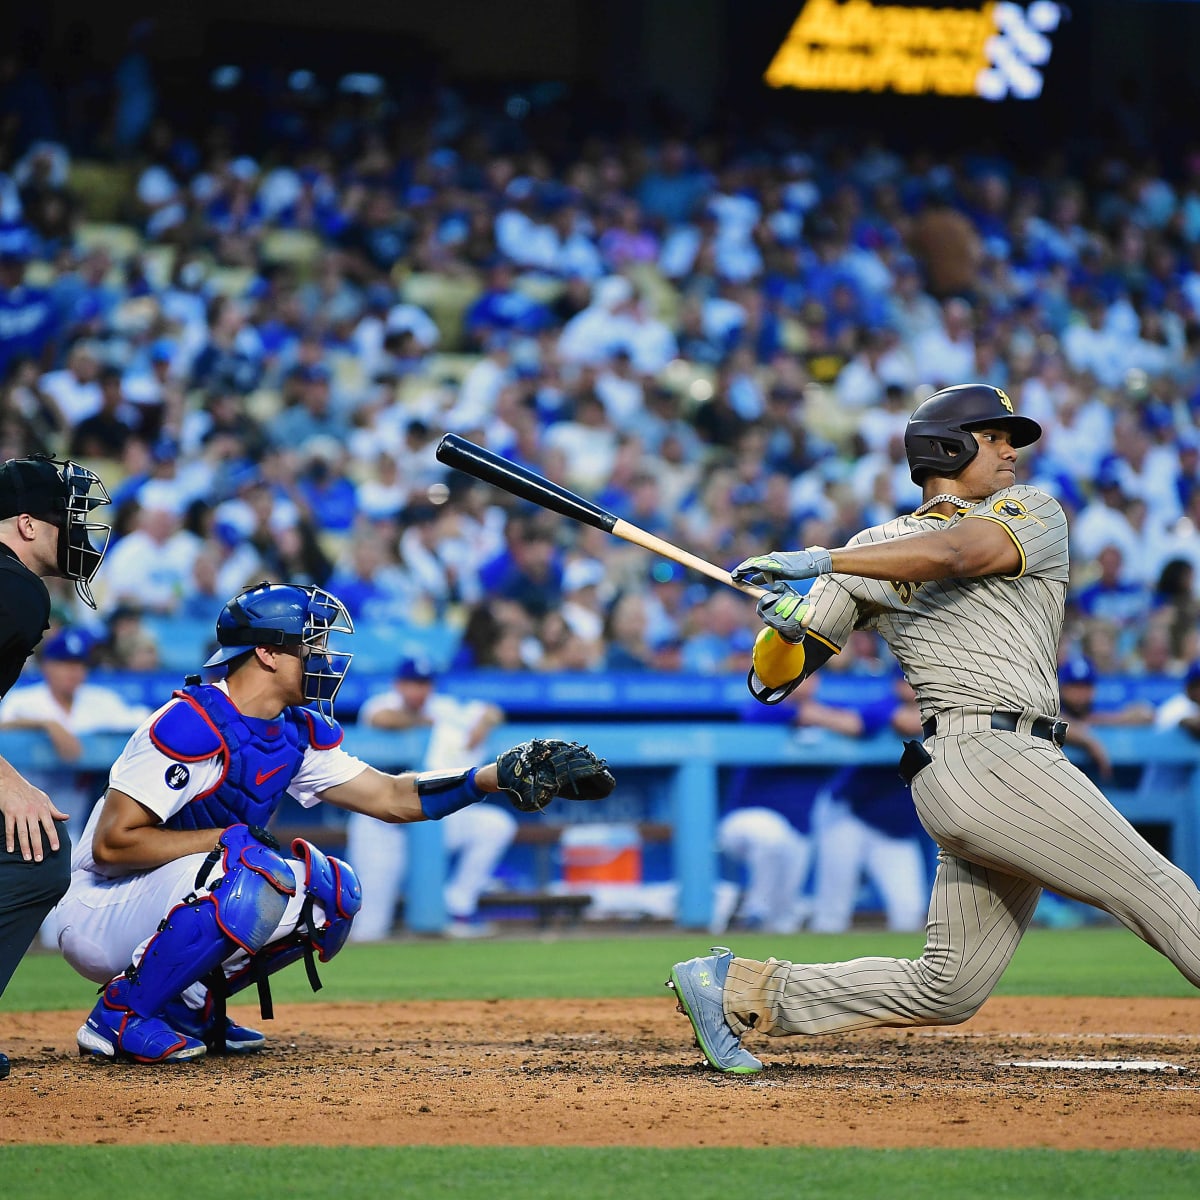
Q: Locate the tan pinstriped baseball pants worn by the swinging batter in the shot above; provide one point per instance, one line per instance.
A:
(1012, 815)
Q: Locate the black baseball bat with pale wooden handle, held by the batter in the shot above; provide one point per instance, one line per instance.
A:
(529, 485)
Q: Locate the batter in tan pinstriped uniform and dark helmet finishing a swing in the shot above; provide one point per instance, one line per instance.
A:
(969, 595)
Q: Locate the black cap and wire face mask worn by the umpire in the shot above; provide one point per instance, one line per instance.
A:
(63, 494)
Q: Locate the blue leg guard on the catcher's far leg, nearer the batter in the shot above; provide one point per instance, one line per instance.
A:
(331, 884)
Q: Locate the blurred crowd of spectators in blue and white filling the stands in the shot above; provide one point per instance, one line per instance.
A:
(719, 341)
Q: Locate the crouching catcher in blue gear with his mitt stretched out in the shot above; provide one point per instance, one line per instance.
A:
(181, 898)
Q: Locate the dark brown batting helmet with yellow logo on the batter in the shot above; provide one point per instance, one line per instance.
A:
(938, 439)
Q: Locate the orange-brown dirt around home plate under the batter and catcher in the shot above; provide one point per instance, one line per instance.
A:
(598, 1073)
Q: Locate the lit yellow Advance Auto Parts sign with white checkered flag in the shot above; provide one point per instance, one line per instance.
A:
(992, 51)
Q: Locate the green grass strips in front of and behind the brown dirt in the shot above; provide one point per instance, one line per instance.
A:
(1087, 963)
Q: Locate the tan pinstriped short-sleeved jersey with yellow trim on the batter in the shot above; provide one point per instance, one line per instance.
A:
(987, 643)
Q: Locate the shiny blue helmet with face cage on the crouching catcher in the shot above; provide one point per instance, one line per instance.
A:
(289, 615)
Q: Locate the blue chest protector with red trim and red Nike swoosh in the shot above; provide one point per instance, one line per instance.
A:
(260, 758)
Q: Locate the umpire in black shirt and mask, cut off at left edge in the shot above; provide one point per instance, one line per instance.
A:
(45, 531)
